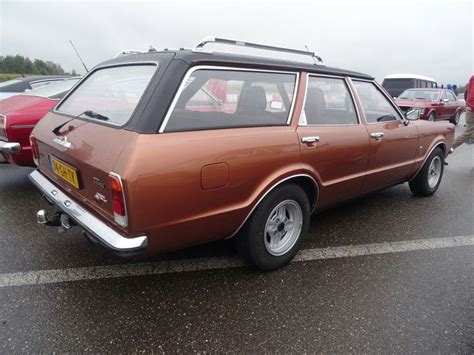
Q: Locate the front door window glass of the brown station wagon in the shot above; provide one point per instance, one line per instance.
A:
(377, 107)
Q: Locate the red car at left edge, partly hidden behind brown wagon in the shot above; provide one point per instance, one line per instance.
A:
(20, 113)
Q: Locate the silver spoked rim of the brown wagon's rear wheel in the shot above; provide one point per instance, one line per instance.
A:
(283, 227)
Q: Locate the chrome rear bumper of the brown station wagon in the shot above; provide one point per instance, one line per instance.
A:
(91, 225)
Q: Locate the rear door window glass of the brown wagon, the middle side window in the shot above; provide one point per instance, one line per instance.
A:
(328, 101)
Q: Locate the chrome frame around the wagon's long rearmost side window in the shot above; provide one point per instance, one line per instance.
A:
(227, 68)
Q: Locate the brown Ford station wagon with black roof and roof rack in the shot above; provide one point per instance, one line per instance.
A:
(157, 151)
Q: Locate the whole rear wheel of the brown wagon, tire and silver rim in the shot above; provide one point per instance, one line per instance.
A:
(275, 231)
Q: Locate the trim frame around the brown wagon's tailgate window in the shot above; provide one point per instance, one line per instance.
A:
(93, 70)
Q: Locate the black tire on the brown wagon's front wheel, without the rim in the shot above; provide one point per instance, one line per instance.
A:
(420, 185)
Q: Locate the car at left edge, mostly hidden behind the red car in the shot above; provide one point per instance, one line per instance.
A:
(15, 86)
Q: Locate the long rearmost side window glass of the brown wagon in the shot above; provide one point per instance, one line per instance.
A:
(221, 98)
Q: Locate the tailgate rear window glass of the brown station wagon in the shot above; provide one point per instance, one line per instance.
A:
(111, 92)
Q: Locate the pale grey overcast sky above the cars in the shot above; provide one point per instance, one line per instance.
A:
(379, 38)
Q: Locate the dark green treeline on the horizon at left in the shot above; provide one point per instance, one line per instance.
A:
(23, 65)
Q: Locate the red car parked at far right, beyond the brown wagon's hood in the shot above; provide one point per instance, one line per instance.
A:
(432, 104)
